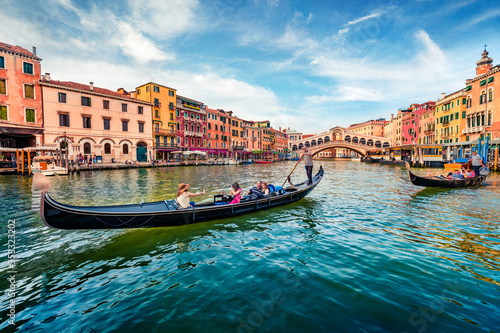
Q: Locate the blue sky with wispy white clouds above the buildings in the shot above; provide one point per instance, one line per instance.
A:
(304, 65)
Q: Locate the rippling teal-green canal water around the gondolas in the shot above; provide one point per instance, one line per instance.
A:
(366, 251)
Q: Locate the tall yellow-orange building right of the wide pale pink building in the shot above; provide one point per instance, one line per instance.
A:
(164, 115)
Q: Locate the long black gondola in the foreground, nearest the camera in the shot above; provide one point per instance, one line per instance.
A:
(157, 214)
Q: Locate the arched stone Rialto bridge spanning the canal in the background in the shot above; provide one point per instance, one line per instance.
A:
(337, 138)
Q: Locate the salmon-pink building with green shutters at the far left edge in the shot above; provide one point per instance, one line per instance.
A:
(21, 121)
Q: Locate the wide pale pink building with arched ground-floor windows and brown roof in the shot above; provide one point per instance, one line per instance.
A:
(96, 121)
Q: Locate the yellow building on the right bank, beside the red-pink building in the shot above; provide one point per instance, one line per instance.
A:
(450, 115)
